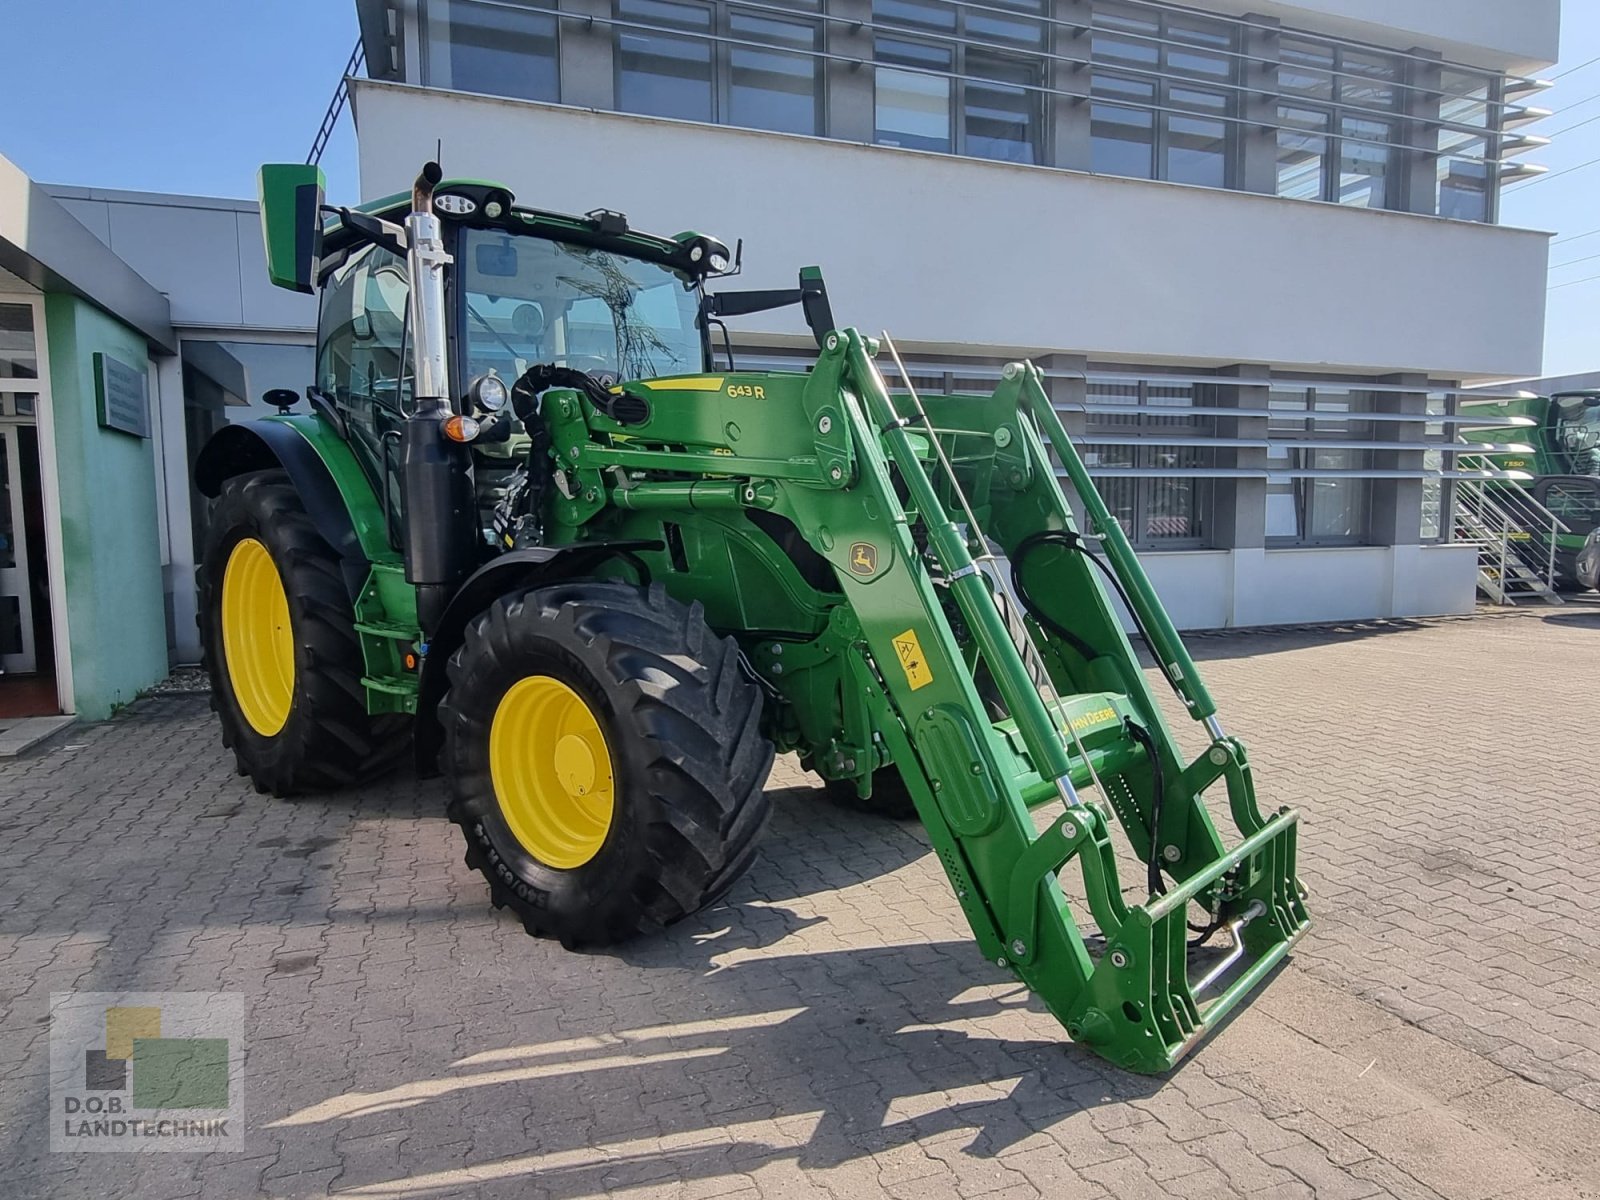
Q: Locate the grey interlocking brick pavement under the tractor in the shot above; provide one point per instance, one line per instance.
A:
(830, 1031)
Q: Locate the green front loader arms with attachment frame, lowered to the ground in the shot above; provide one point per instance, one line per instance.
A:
(1089, 742)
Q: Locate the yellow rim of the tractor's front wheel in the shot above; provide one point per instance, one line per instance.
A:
(551, 772)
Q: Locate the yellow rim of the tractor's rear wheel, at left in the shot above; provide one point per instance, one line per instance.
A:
(258, 642)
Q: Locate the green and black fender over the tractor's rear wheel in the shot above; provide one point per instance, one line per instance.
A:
(330, 482)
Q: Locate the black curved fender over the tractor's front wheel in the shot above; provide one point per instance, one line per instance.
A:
(511, 572)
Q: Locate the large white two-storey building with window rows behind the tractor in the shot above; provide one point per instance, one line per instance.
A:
(1254, 246)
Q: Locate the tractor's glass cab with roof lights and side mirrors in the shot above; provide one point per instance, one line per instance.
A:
(532, 300)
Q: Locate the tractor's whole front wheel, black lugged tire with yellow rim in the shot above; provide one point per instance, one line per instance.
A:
(634, 775)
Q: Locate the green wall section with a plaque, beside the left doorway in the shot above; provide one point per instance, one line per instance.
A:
(110, 521)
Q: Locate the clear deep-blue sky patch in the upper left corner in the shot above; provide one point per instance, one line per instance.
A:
(174, 95)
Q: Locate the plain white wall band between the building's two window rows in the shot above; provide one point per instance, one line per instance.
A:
(961, 255)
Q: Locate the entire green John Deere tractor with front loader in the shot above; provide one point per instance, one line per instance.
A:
(598, 577)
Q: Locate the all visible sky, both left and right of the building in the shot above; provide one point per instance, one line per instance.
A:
(193, 95)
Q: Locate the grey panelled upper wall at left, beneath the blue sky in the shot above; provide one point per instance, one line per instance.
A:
(206, 254)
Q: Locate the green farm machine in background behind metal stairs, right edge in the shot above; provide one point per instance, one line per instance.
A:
(1562, 473)
